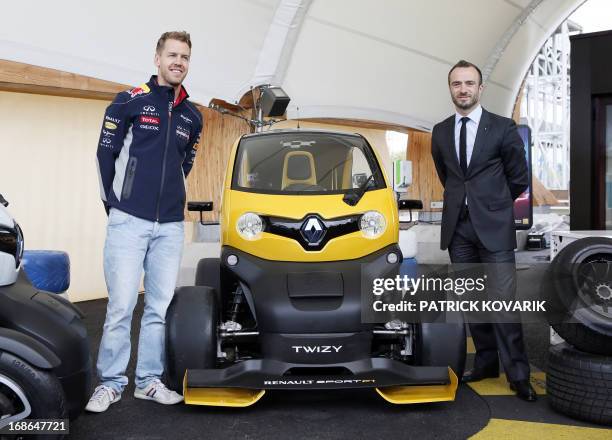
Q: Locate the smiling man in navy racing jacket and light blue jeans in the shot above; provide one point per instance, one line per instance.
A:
(147, 146)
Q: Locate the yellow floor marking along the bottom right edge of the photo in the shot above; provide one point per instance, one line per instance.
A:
(499, 429)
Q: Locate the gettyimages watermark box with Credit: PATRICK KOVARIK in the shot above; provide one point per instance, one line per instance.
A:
(479, 292)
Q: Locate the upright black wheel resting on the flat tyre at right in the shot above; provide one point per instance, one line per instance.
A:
(578, 288)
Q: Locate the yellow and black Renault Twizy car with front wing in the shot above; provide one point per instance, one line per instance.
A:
(308, 220)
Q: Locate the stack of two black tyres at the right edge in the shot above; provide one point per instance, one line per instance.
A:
(578, 290)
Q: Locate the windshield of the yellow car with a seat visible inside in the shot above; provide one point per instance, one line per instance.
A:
(305, 162)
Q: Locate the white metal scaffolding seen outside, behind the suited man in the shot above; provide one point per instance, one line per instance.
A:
(545, 107)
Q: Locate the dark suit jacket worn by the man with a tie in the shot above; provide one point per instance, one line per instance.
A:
(496, 176)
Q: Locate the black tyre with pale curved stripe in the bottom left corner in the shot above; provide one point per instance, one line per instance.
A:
(26, 391)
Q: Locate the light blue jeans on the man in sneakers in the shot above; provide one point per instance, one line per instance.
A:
(131, 245)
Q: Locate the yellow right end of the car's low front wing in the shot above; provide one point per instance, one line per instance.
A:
(421, 393)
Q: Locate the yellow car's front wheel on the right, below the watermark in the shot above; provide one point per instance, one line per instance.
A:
(442, 345)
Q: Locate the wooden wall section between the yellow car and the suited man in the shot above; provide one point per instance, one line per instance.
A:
(425, 183)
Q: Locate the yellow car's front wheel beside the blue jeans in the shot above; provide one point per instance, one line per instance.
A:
(191, 333)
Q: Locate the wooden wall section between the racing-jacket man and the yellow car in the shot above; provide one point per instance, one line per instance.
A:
(205, 181)
